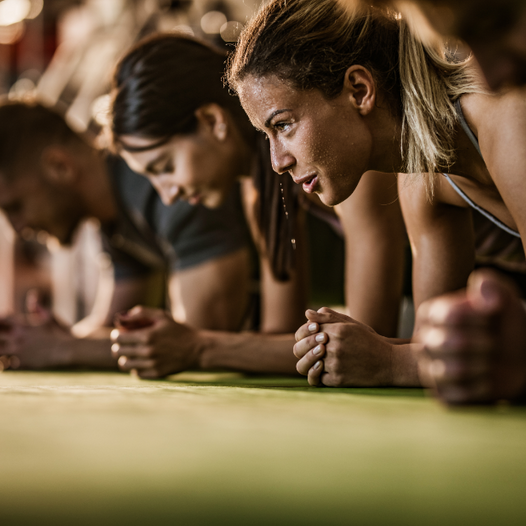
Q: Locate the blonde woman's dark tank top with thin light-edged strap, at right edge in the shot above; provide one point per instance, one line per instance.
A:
(495, 243)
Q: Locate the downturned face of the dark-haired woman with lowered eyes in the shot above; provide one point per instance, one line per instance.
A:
(199, 168)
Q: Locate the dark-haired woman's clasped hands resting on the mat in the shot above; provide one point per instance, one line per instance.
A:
(150, 342)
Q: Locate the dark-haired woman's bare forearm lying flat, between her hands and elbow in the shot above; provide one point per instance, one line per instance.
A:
(248, 352)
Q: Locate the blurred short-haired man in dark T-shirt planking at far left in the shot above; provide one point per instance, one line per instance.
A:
(52, 178)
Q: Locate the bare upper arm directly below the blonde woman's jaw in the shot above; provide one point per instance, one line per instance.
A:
(375, 243)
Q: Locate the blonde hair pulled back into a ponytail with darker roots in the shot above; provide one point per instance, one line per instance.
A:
(312, 43)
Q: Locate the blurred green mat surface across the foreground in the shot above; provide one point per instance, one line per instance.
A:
(223, 449)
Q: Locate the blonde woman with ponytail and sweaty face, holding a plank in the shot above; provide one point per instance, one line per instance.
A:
(340, 94)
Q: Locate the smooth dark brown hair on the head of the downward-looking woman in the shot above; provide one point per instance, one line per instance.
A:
(161, 82)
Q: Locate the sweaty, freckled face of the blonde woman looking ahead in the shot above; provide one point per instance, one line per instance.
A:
(323, 144)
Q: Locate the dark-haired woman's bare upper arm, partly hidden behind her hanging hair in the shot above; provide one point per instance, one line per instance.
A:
(282, 303)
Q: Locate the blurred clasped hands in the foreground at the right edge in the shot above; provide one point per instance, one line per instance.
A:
(473, 342)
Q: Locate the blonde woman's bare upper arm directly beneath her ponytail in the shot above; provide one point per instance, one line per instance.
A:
(441, 237)
